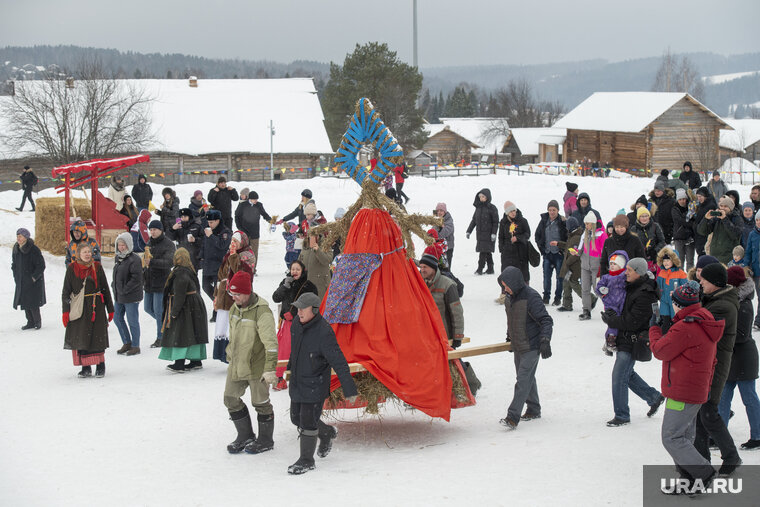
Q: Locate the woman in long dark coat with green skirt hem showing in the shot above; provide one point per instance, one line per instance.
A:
(185, 331)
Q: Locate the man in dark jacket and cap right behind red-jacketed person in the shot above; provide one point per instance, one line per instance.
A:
(722, 301)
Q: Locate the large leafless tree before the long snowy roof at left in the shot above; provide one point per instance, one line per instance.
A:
(68, 120)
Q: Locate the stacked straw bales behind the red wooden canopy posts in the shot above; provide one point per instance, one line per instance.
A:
(49, 222)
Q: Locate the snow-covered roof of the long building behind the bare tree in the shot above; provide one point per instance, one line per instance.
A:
(231, 115)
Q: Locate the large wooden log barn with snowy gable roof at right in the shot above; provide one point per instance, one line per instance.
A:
(643, 131)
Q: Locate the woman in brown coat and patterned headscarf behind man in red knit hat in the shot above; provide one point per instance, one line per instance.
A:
(239, 257)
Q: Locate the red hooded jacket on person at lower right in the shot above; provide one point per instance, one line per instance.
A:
(687, 353)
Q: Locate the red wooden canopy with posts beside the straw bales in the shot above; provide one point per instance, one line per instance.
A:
(94, 169)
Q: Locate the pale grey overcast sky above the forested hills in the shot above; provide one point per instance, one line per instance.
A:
(451, 32)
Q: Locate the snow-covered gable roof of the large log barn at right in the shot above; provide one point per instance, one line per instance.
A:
(623, 111)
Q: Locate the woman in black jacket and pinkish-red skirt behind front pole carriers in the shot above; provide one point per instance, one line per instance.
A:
(291, 287)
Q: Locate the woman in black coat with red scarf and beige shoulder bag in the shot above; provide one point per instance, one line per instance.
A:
(87, 310)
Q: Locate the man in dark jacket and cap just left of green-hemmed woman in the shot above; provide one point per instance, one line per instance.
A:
(157, 263)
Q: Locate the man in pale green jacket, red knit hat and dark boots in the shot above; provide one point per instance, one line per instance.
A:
(252, 356)
